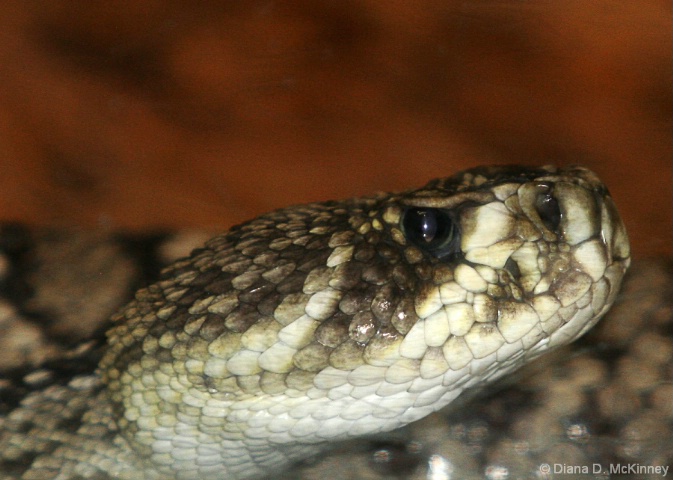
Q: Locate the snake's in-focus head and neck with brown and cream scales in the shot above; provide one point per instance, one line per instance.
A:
(328, 321)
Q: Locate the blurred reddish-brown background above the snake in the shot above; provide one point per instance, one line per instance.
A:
(154, 114)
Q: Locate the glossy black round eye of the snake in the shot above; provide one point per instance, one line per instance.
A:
(431, 229)
